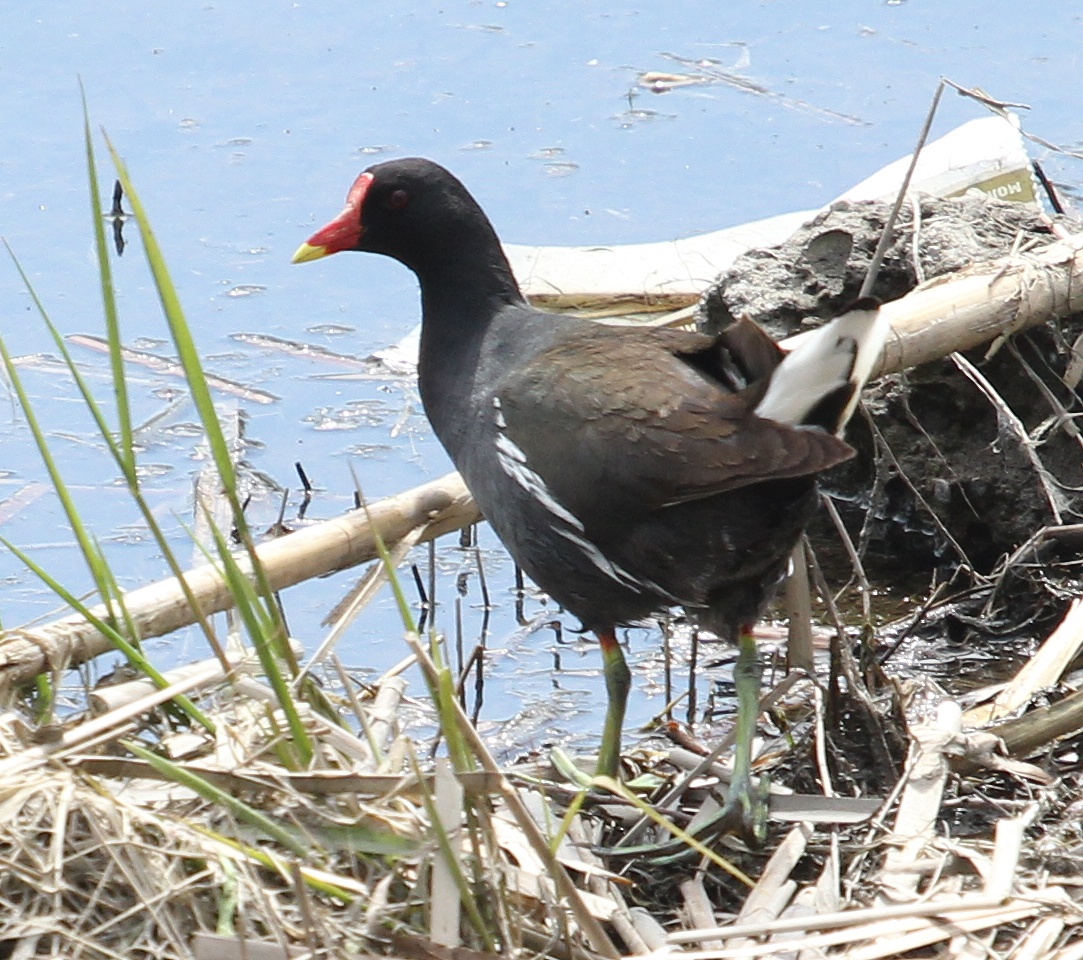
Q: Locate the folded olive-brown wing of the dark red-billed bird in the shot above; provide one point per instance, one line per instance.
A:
(655, 419)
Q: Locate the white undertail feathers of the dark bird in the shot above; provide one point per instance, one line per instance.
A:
(845, 351)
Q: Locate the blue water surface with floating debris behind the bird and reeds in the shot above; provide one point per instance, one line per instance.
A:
(244, 125)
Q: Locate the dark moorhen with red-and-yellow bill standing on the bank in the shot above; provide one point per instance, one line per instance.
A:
(627, 470)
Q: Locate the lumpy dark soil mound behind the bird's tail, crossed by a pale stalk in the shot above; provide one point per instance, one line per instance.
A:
(948, 477)
